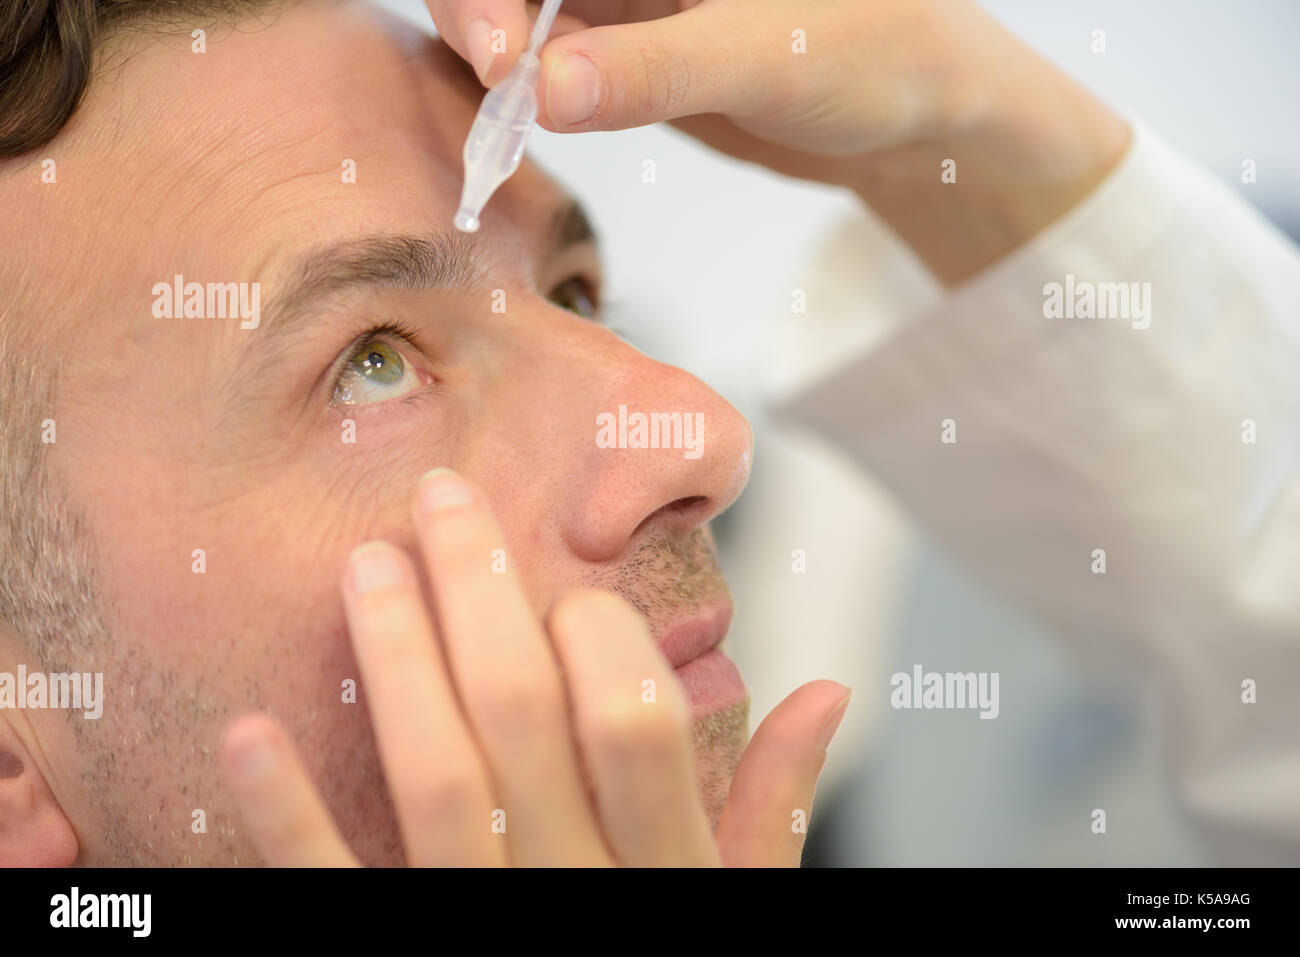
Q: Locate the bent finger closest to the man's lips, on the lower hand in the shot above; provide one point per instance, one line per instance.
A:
(634, 725)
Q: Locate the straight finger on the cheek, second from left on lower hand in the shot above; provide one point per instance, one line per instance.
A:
(439, 782)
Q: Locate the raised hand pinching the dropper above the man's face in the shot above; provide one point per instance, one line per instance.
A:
(877, 96)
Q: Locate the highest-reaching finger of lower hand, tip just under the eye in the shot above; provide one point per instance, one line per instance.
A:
(508, 678)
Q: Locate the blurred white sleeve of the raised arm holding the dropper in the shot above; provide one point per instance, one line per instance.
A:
(1163, 432)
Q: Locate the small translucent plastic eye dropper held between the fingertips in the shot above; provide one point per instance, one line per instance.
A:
(496, 145)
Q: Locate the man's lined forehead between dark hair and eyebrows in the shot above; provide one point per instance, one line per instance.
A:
(309, 124)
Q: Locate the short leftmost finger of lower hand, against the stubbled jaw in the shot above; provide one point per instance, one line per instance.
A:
(287, 819)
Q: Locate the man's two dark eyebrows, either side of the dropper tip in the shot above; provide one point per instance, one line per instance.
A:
(419, 262)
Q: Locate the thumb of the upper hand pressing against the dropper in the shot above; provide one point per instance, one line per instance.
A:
(634, 75)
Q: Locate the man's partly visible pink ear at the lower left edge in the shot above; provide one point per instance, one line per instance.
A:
(34, 833)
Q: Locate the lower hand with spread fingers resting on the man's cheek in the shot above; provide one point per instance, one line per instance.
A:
(509, 744)
